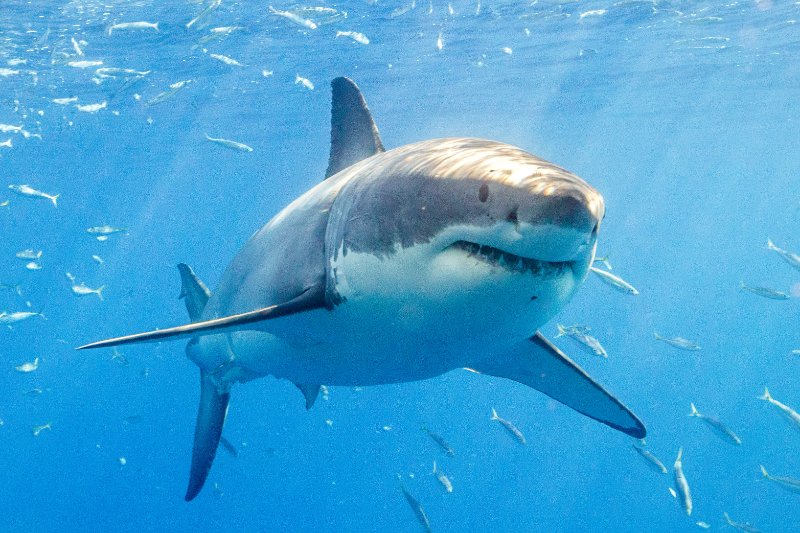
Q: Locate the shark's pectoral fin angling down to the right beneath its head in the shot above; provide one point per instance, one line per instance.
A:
(539, 364)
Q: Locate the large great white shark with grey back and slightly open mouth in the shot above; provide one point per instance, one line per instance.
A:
(400, 266)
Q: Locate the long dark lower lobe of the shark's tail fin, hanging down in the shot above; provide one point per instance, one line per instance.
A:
(210, 419)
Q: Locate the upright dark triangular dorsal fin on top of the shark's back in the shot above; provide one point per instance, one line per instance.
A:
(354, 135)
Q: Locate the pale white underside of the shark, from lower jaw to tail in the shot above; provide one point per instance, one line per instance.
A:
(402, 319)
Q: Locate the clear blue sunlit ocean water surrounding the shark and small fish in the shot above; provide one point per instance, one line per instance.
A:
(683, 114)
